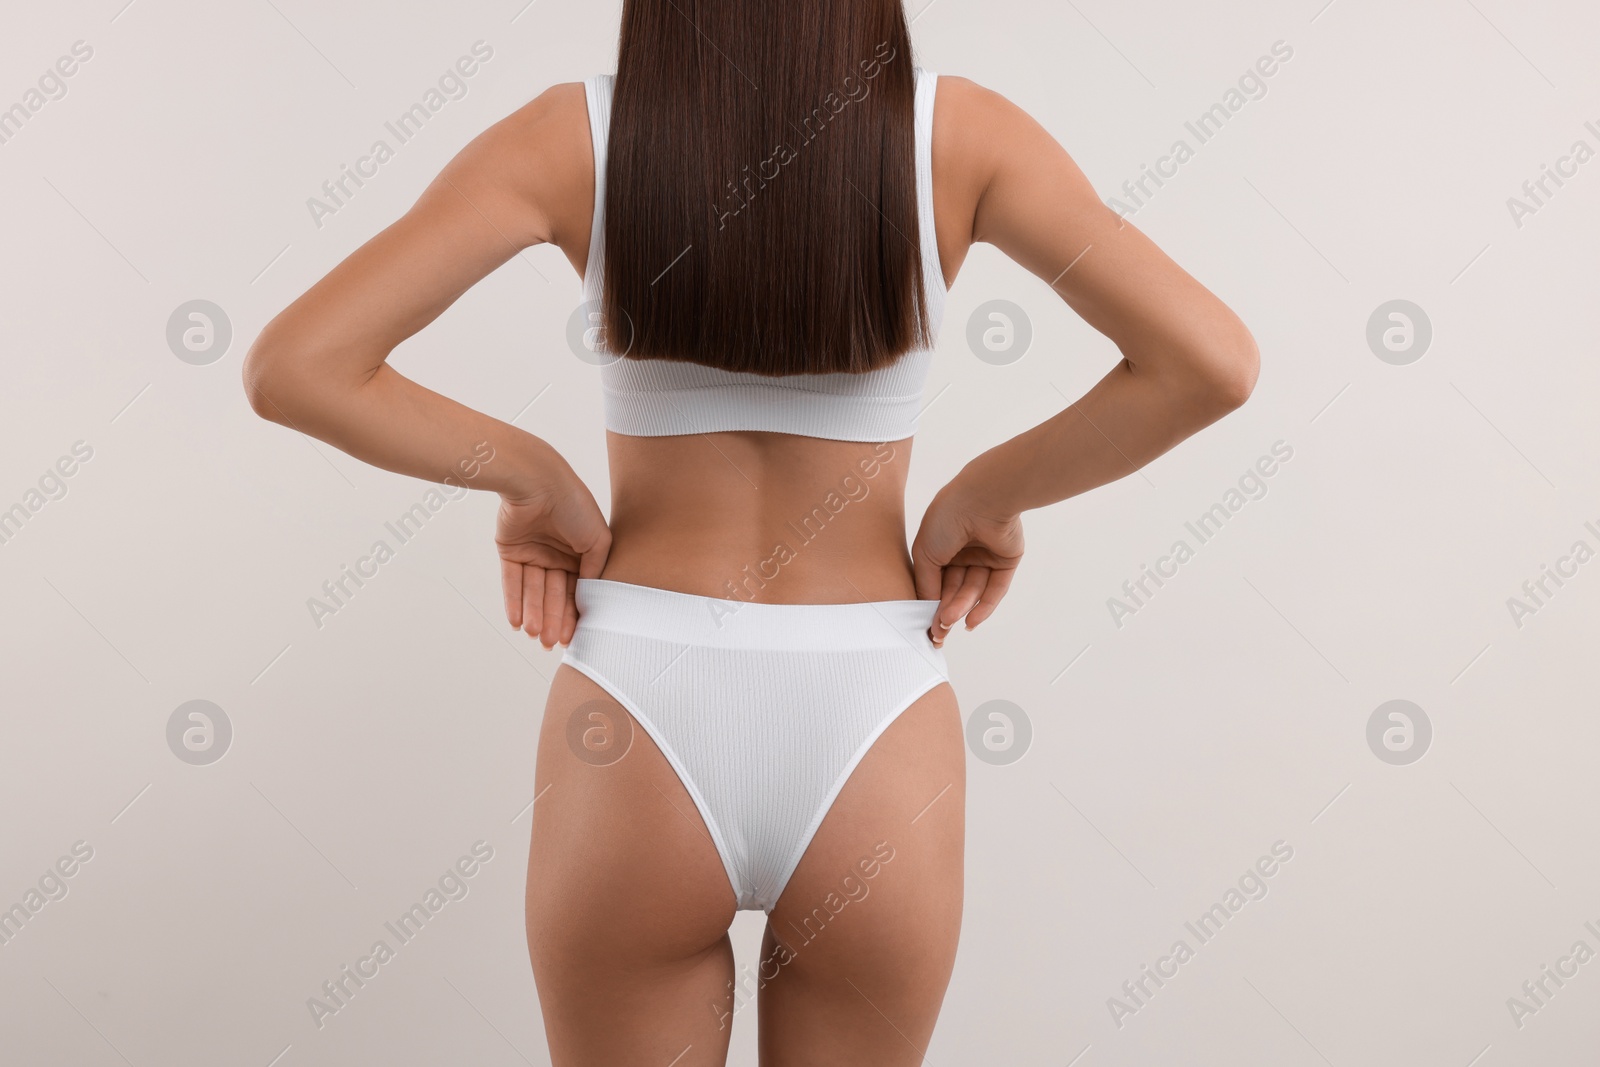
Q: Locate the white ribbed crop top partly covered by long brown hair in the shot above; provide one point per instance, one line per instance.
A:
(668, 398)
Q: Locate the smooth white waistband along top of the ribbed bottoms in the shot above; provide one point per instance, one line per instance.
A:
(718, 623)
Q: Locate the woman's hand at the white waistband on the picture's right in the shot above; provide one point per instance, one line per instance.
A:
(966, 556)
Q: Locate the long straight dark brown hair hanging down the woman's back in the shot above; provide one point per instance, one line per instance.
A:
(761, 188)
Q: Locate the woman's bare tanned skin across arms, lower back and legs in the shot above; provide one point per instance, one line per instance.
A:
(628, 901)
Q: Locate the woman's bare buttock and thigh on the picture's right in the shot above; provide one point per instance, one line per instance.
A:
(862, 945)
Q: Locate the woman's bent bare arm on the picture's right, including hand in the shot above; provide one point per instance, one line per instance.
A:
(1186, 358)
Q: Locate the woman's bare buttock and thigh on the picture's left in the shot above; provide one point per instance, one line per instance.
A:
(628, 900)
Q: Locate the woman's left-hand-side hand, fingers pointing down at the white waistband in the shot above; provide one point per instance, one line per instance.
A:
(548, 540)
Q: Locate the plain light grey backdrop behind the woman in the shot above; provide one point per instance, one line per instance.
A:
(1169, 754)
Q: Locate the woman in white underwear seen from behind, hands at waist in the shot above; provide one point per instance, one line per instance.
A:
(767, 206)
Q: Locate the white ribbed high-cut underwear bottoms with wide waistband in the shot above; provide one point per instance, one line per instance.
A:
(764, 709)
